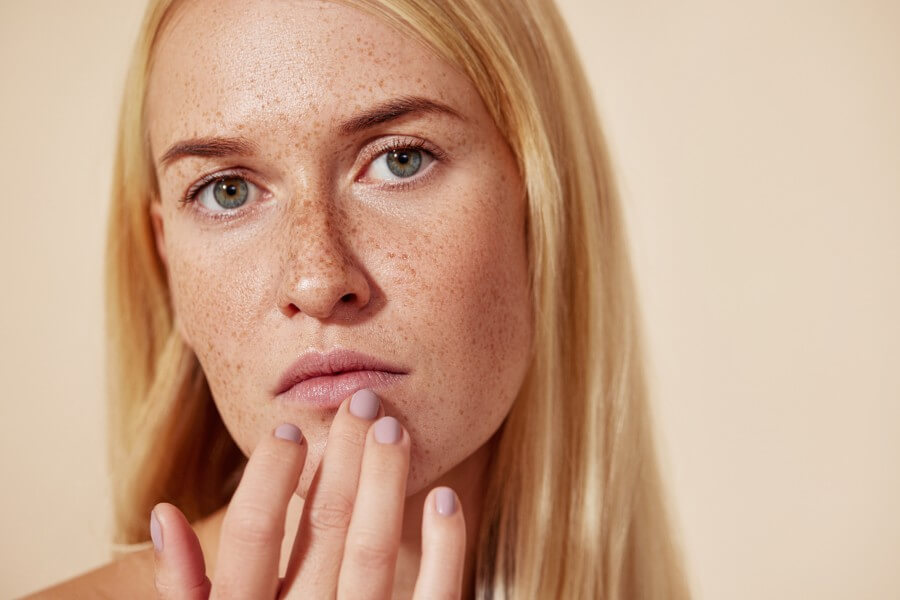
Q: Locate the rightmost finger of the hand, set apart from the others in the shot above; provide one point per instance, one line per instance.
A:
(443, 547)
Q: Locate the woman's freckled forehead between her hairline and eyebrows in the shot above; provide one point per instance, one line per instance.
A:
(304, 65)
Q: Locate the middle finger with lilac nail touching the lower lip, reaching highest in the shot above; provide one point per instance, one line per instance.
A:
(316, 557)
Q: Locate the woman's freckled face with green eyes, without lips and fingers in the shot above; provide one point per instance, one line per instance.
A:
(312, 235)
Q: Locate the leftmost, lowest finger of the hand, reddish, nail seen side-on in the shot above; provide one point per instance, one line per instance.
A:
(179, 565)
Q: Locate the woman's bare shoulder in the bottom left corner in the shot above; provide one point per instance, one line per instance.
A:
(128, 577)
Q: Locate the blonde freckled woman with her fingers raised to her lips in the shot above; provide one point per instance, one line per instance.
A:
(391, 226)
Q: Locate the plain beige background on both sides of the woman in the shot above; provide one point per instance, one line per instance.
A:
(758, 146)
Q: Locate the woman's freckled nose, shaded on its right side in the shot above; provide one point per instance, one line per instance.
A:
(321, 277)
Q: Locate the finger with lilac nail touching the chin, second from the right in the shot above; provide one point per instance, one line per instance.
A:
(370, 552)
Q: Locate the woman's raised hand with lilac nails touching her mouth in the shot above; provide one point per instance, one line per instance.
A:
(349, 532)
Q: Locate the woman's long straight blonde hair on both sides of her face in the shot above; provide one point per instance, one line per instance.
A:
(575, 506)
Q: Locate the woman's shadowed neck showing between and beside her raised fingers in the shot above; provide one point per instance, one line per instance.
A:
(468, 479)
